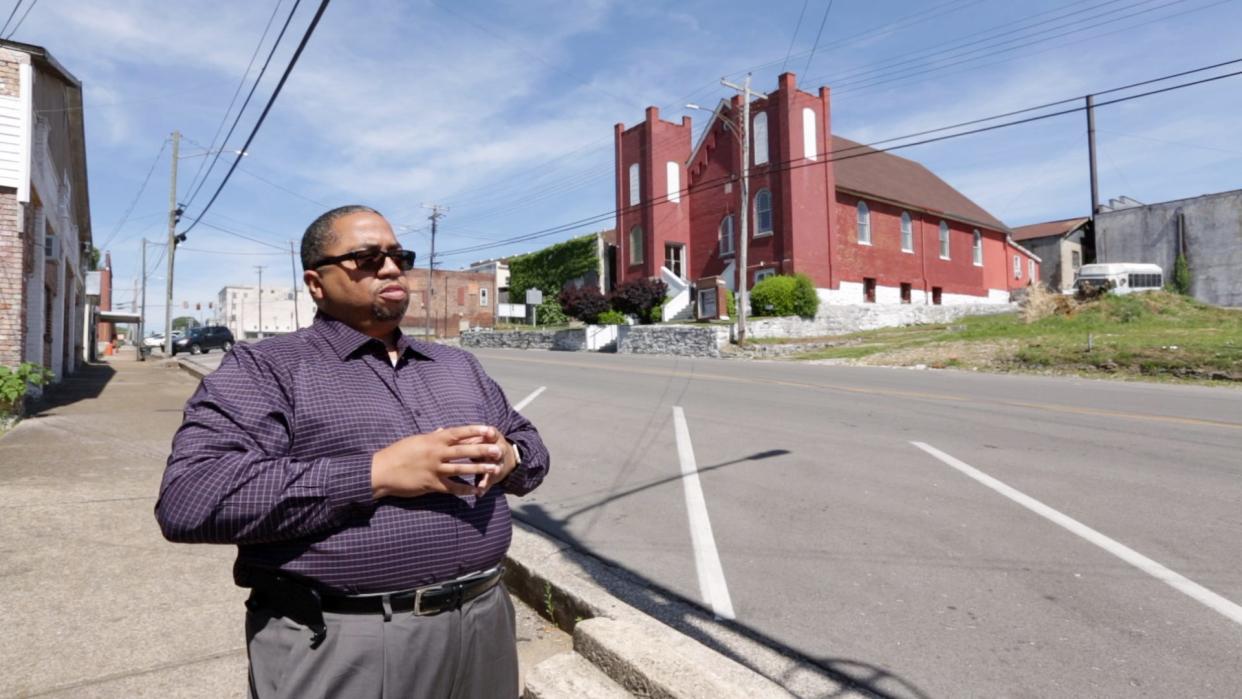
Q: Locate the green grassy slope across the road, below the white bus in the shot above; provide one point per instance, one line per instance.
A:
(1154, 336)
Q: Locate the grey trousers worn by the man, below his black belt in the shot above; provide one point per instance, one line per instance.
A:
(469, 654)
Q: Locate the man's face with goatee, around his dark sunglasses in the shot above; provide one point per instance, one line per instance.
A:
(369, 300)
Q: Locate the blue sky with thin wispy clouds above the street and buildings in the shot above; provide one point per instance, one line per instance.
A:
(504, 111)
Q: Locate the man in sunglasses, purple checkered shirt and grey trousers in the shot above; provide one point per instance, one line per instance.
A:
(362, 476)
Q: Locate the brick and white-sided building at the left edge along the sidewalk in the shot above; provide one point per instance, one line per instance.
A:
(45, 222)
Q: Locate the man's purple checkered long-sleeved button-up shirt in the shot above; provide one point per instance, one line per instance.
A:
(275, 455)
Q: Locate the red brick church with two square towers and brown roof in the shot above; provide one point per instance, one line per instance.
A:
(865, 227)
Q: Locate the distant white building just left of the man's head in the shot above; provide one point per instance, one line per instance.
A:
(284, 311)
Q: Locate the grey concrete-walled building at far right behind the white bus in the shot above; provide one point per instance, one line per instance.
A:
(1208, 229)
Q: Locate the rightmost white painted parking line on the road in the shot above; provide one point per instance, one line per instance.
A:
(1127, 554)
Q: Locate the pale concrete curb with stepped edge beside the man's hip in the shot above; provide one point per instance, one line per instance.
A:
(637, 651)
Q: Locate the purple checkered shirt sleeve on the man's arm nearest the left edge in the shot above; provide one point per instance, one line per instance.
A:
(232, 477)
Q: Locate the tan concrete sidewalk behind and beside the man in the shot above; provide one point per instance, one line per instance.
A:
(96, 603)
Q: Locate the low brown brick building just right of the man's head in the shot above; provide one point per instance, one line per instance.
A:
(459, 301)
